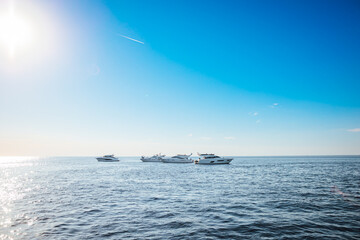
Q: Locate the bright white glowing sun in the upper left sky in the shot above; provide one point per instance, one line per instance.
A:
(15, 32)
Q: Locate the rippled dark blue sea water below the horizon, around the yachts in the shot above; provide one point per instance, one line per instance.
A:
(252, 198)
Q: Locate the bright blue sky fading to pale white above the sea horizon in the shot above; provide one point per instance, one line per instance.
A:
(245, 78)
